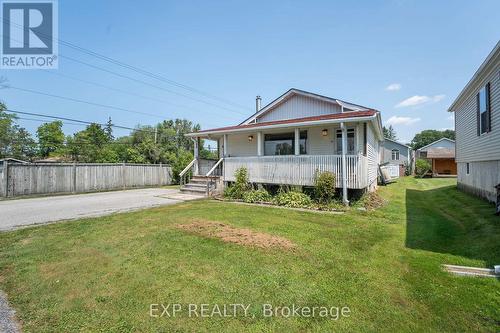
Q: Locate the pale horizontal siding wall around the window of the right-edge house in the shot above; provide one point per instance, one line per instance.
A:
(469, 146)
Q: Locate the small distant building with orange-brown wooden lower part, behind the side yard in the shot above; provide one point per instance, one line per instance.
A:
(441, 155)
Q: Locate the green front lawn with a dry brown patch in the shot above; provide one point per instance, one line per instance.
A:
(102, 274)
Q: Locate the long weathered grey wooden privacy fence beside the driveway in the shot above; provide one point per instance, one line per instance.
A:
(27, 179)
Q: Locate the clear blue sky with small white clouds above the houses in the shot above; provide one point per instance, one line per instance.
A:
(408, 59)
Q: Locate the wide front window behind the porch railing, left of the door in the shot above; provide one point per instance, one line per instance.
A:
(284, 143)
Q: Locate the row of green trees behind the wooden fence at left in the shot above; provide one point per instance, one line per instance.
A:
(164, 143)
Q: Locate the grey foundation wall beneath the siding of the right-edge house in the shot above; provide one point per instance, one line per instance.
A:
(482, 178)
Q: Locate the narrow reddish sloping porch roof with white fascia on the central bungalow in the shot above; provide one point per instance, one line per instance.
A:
(315, 120)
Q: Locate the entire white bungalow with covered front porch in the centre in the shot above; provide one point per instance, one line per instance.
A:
(290, 139)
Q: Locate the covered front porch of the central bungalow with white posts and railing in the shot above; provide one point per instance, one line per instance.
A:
(293, 155)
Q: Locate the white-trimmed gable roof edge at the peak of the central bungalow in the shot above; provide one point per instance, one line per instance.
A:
(293, 92)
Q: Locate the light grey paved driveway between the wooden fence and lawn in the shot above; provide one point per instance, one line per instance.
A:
(23, 212)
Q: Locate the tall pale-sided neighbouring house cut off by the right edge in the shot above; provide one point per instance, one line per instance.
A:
(477, 126)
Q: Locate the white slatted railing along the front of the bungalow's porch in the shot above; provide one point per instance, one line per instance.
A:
(298, 170)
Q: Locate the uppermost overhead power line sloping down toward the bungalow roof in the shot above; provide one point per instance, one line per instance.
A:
(137, 69)
